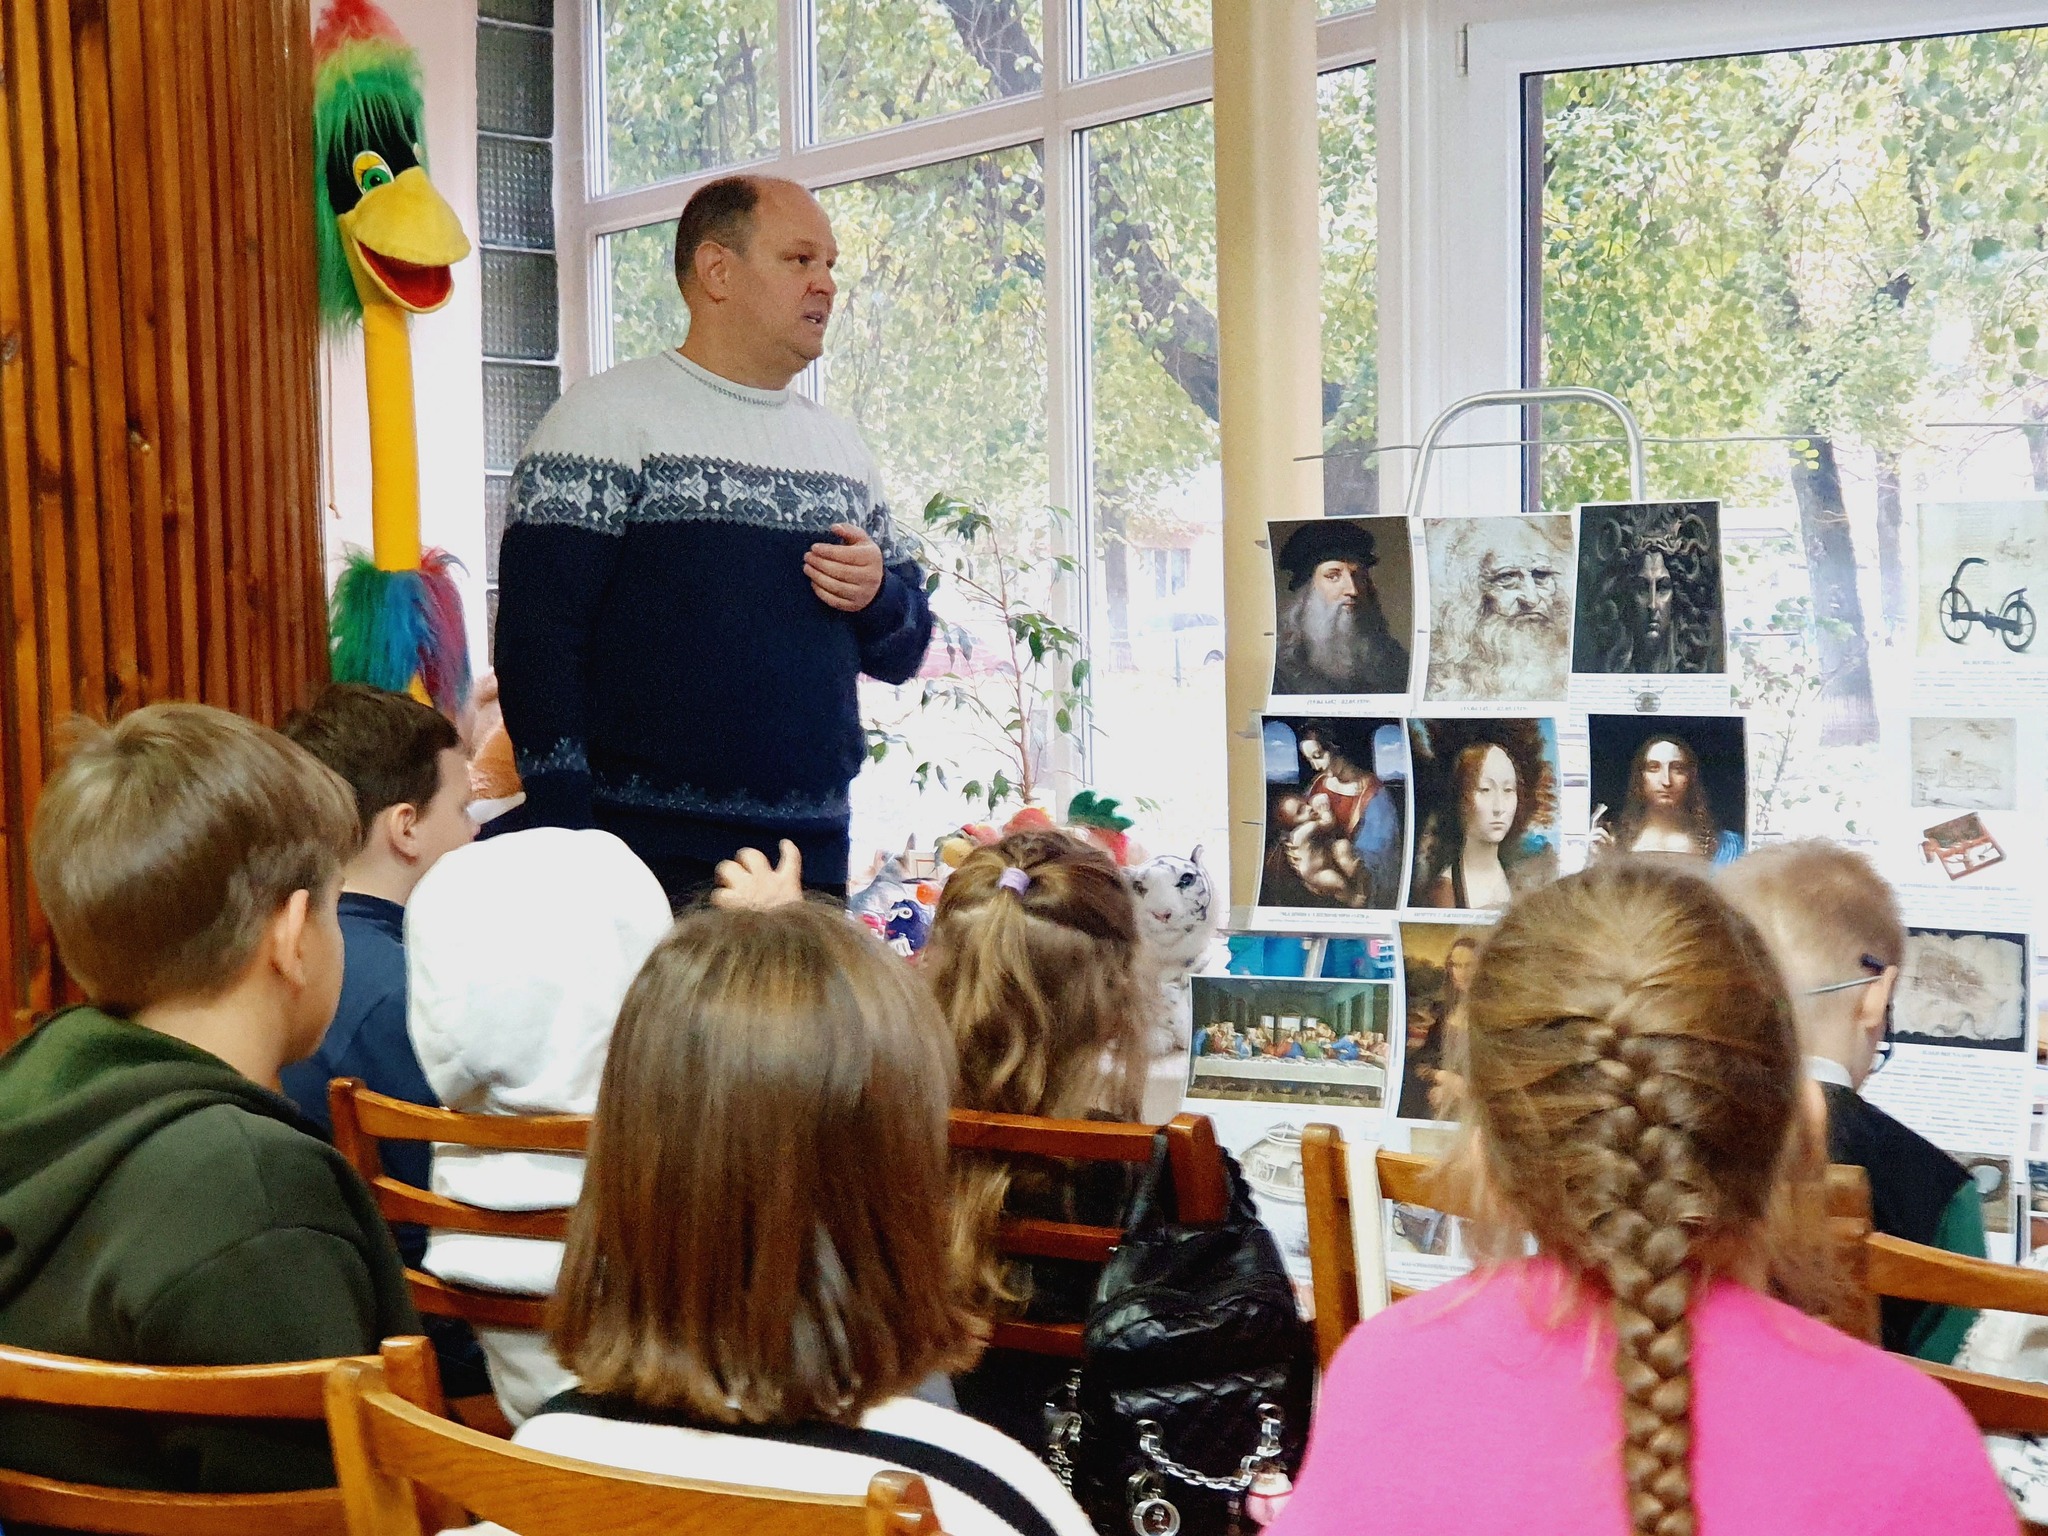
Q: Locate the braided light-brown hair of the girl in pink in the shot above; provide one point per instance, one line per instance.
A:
(1635, 1089)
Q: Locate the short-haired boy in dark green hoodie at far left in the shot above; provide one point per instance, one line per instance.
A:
(161, 1199)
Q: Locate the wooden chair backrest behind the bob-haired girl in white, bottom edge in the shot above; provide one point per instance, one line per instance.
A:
(386, 1451)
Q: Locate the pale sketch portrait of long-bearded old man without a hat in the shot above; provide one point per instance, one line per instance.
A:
(1500, 609)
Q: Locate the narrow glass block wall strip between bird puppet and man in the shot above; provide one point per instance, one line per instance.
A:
(517, 237)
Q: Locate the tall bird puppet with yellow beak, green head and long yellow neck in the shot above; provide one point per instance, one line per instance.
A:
(386, 247)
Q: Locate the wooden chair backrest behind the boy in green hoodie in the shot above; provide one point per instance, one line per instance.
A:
(286, 1392)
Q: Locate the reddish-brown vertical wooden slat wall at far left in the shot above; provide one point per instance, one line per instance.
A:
(159, 415)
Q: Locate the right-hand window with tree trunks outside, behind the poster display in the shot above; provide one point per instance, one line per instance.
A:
(1836, 259)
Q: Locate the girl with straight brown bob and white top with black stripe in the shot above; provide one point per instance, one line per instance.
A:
(757, 1275)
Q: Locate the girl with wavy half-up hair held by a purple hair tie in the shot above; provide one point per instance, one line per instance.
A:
(1035, 964)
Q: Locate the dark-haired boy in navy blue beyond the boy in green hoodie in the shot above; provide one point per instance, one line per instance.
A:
(411, 781)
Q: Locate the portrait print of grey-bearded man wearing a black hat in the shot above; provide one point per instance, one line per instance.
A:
(1334, 632)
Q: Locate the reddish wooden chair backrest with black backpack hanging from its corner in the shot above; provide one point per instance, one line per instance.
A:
(1201, 1195)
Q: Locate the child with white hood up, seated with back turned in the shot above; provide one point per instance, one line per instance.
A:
(519, 951)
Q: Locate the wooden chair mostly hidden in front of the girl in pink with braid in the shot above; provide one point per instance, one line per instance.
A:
(1410, 1179)
